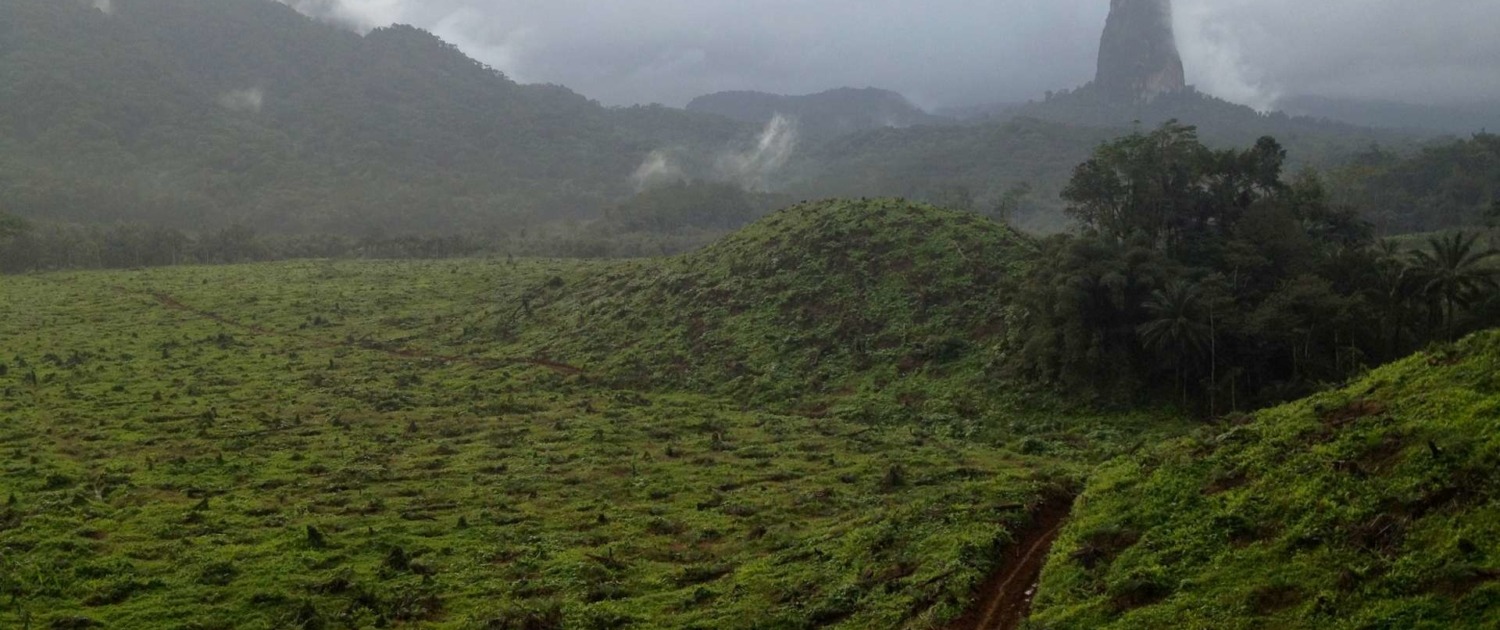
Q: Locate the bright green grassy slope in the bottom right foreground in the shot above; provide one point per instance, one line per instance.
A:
(1376, 506)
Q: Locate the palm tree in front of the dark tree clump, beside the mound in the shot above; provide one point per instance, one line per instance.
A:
(1177, 329)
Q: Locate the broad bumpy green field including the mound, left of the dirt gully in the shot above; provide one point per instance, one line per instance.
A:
(449, 445)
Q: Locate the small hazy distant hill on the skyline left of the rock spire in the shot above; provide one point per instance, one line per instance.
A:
(820, 116)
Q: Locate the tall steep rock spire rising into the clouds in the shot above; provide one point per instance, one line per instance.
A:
(1139, 53)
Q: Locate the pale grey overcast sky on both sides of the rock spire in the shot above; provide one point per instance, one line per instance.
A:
(952, 53)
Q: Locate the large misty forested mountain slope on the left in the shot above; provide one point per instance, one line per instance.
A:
(205, 113)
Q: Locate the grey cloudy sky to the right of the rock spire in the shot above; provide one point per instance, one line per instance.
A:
(1255, 52)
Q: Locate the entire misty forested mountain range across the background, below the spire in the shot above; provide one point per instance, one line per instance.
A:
(205, 115)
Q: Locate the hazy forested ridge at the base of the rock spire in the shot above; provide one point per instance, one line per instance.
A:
(1039, 145)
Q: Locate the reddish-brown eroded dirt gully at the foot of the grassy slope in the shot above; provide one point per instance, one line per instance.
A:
(1004, 601)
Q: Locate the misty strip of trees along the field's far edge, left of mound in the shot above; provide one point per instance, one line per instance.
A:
(662, 221)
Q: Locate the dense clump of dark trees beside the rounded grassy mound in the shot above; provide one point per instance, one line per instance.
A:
(1210, 278)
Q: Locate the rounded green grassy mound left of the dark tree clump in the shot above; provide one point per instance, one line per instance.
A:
(821, 298)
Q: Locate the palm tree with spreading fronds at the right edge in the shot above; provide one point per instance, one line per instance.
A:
(1454, 275)
